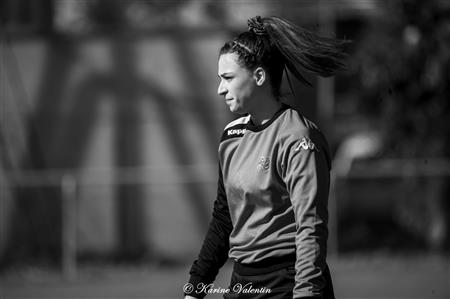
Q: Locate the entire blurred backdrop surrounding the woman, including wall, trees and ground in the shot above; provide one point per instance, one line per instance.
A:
(110, 124)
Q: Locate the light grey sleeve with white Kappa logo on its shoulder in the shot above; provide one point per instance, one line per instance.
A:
(305, 172)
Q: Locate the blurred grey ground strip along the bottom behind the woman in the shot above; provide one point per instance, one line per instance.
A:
(354, 277)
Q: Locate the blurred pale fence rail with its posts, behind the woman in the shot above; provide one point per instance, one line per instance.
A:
(70, 180)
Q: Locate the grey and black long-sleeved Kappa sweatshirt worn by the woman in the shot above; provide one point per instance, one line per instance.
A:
(271, 199)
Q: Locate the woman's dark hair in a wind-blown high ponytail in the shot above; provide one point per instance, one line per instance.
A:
(275, 44)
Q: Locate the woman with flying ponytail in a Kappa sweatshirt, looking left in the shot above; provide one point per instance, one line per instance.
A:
(270, 215)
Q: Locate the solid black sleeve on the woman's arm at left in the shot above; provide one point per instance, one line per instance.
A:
(214, 251)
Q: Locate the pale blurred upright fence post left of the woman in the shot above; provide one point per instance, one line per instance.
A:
(69, 226)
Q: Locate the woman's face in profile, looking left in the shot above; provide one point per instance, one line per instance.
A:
(237, 84)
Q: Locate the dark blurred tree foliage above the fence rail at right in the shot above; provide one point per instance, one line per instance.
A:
(404, 68)
